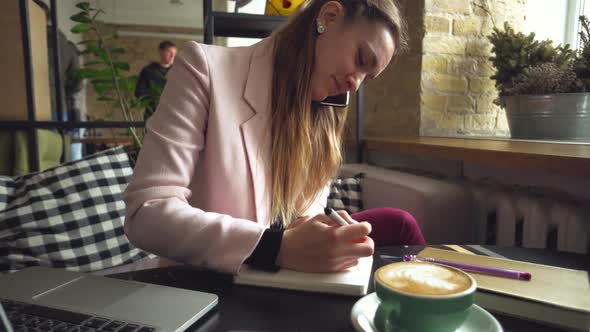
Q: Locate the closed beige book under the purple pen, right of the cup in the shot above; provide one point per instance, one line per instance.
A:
(553, 295)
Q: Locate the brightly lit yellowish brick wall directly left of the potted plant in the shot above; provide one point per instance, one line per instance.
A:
(457, 93)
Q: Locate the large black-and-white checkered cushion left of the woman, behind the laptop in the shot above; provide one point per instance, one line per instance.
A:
(70, 216)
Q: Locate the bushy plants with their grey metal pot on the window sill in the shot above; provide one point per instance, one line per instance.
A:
(543, 88)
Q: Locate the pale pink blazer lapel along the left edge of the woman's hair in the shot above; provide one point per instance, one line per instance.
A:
(256, 130)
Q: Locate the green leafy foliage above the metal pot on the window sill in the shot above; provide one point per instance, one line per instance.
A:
(516, 53)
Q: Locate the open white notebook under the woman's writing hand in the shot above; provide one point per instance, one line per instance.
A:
(352, 282)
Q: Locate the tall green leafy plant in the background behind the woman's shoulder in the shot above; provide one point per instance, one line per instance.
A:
(106, 72)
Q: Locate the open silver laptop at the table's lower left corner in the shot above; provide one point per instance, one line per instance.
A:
(59, 300)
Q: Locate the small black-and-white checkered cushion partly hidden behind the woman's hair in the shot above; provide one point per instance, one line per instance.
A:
(345, 194)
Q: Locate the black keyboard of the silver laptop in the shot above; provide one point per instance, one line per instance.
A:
(31, 317)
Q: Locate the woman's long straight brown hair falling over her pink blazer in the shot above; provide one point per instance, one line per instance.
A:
(306, 137)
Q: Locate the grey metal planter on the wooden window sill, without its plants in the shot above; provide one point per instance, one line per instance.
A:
(564, 116)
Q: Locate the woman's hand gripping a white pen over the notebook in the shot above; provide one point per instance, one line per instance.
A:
(317, 245)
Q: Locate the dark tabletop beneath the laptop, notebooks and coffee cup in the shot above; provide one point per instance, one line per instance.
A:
(245, 308)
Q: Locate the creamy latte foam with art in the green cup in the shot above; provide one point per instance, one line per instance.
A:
(424, 278)
